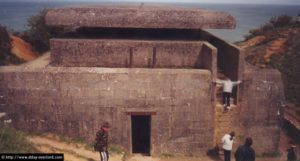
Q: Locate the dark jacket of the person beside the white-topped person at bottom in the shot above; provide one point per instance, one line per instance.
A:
(244, 153)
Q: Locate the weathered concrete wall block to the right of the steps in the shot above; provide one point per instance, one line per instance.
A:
(262, 112)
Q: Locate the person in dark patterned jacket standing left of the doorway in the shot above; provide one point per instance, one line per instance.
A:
(101, 142)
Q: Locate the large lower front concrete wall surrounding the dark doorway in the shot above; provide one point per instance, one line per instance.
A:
(76, 101)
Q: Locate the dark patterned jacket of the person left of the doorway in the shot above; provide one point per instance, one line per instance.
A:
(101, 142)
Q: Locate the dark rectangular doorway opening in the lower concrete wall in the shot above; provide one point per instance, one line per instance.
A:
(141, 125)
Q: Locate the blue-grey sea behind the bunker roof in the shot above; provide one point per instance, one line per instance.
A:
(15, 13)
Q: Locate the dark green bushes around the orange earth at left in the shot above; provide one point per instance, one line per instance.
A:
(38, 35)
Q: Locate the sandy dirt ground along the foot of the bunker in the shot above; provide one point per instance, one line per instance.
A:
(50, 143)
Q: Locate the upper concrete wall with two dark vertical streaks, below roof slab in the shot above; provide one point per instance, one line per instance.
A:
(116, 53)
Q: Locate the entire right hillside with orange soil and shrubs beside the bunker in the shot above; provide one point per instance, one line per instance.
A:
(279, 48)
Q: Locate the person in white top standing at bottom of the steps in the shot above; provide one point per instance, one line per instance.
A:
(227, 141)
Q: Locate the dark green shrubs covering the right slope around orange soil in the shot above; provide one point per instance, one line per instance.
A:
(287, 61)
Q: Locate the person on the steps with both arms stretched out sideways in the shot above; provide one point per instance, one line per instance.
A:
(227, 90)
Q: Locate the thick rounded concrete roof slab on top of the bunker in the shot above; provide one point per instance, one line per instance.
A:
(139, 16)
